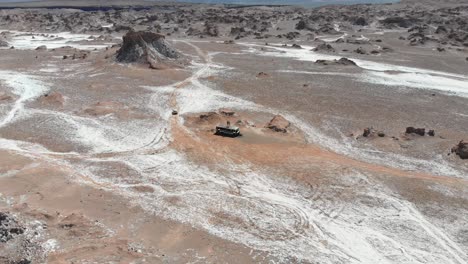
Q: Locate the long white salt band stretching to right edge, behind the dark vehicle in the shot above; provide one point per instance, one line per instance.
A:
(381, 73)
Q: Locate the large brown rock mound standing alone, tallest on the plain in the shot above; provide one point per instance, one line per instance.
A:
(149, 48)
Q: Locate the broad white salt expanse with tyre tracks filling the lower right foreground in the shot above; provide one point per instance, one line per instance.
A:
(285, 219)
